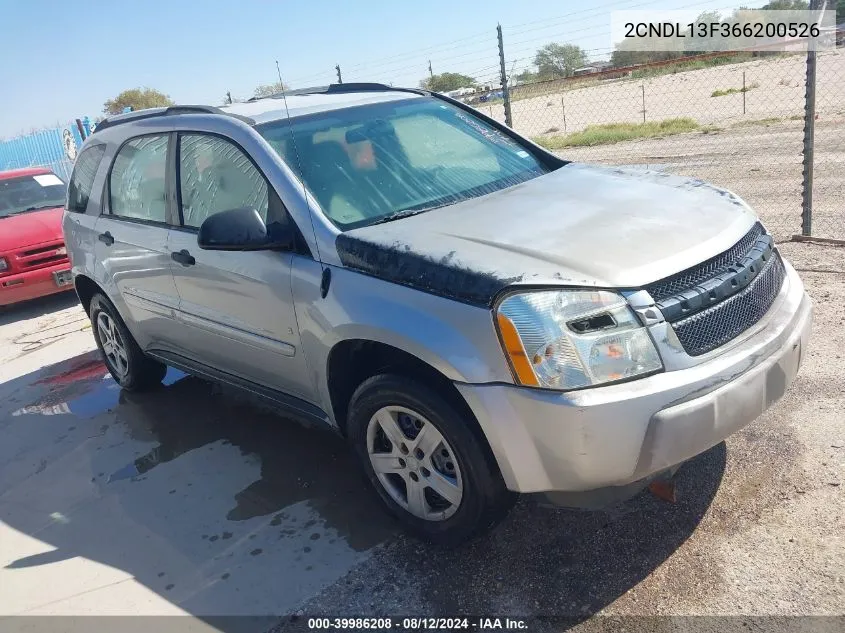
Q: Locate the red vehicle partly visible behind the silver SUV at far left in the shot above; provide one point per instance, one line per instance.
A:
(33, 257)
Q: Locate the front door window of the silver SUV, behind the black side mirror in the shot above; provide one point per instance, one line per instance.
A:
(215, 176)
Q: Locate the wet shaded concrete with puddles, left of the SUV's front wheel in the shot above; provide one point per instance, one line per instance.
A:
(212, 501)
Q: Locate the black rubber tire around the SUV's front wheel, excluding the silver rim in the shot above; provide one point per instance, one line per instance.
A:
(481, 487)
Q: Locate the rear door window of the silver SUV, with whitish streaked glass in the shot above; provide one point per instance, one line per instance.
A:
(137, 185)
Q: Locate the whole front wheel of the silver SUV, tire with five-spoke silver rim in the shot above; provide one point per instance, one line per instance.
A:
(407, 407)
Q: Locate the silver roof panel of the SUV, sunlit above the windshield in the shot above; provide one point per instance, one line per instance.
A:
(273, 108)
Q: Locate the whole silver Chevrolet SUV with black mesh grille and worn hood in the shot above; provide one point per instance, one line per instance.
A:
(476, 315)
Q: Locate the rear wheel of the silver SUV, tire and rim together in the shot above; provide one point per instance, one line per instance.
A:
(129, 366)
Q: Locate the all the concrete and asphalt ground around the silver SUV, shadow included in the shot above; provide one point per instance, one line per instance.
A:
(197, 501)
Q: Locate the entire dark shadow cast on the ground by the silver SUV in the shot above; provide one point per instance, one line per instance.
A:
(218, 505)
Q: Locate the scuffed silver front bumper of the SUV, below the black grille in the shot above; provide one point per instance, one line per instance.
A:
(584, 440)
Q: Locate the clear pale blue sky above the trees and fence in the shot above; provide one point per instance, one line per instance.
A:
(64, 59)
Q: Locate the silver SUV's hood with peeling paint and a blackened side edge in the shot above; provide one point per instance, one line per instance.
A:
(579, 225)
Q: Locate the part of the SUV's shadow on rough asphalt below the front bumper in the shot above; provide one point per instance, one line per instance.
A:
(568, 563)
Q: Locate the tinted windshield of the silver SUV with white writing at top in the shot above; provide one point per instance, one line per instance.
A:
(378, 162)
